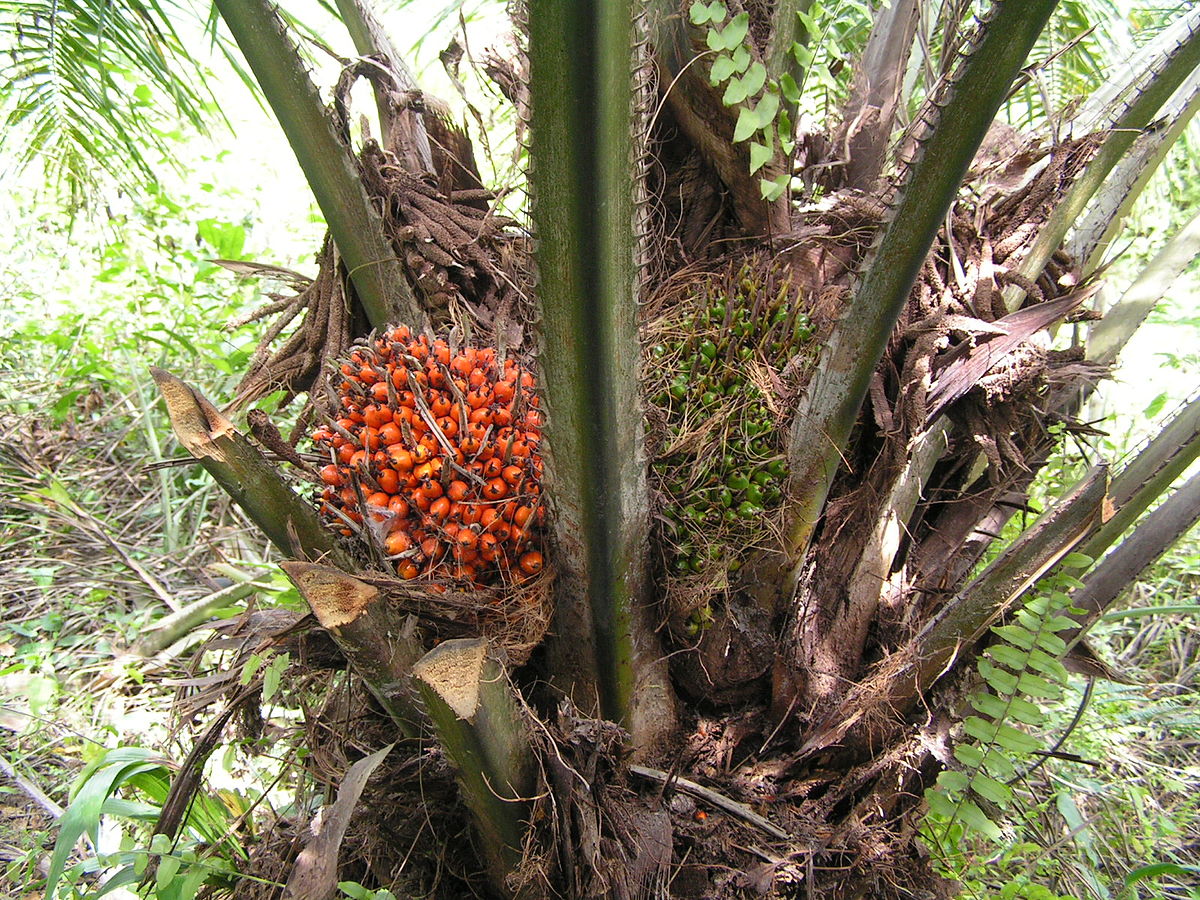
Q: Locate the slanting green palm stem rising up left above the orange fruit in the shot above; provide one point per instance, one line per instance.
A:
(327, 163)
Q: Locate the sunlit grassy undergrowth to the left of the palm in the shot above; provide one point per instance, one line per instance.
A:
(103, 537)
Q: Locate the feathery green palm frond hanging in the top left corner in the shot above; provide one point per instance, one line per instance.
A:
(91, 88)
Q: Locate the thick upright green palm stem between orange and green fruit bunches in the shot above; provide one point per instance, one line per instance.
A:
(605, 651)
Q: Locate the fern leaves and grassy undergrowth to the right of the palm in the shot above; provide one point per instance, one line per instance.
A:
(1095, 790)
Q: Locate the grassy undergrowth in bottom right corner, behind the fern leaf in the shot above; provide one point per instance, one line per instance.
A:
(1107, 807)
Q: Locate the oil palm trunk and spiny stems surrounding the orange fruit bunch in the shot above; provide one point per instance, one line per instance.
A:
(796, 377)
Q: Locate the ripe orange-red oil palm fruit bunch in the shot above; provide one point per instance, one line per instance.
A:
(436, 453)
